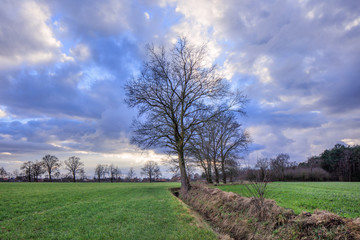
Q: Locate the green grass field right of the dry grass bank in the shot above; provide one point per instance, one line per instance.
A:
(342, 198)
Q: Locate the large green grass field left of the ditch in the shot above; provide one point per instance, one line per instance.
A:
(95, 211)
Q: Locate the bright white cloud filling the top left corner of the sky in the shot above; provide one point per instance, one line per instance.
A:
(27, 37)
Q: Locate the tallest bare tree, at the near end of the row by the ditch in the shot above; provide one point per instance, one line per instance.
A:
(177, 91)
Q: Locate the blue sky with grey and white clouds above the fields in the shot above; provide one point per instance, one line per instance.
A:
(63, 66)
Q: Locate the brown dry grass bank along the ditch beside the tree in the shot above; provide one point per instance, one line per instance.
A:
(240, 218)
